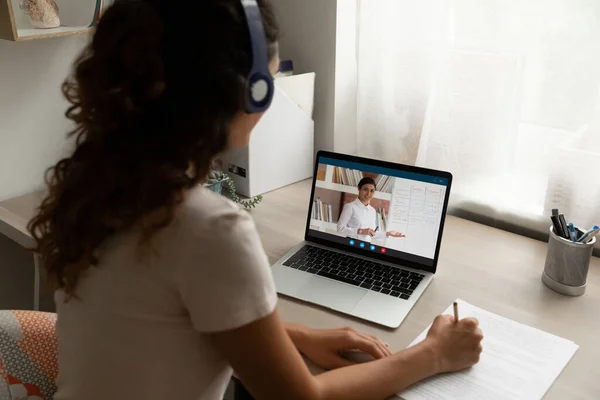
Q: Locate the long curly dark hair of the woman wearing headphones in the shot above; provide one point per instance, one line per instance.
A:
(151, 97)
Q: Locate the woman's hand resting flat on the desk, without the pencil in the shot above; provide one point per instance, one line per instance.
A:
(324, 347)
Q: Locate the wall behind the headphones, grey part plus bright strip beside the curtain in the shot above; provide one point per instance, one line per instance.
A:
(320, 36)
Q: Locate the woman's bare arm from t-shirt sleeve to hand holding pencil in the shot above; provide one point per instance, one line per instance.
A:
(265, 359)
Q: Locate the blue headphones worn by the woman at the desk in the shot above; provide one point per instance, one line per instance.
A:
(260, 86)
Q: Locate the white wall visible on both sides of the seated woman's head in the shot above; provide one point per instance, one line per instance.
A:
(32, 123)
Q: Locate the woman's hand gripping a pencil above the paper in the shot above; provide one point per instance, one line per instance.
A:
(456, 346)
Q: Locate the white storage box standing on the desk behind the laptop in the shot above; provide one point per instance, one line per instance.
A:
(281, 150)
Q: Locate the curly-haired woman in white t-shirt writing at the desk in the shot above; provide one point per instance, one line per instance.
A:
(161, 285)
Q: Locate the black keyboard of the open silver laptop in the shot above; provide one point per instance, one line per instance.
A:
(356, 271)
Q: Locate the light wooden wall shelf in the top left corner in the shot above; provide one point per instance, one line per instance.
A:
(14, 25)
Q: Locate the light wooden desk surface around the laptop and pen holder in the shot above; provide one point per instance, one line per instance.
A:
(492, 269)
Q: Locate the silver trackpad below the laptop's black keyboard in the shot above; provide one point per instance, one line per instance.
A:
(331, 294)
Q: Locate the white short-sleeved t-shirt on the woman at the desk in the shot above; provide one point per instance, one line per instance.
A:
(140, 329)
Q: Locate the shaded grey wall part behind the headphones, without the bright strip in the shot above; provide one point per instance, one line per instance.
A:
(309, 39)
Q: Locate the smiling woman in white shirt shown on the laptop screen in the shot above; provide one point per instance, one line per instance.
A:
(359, 219)
